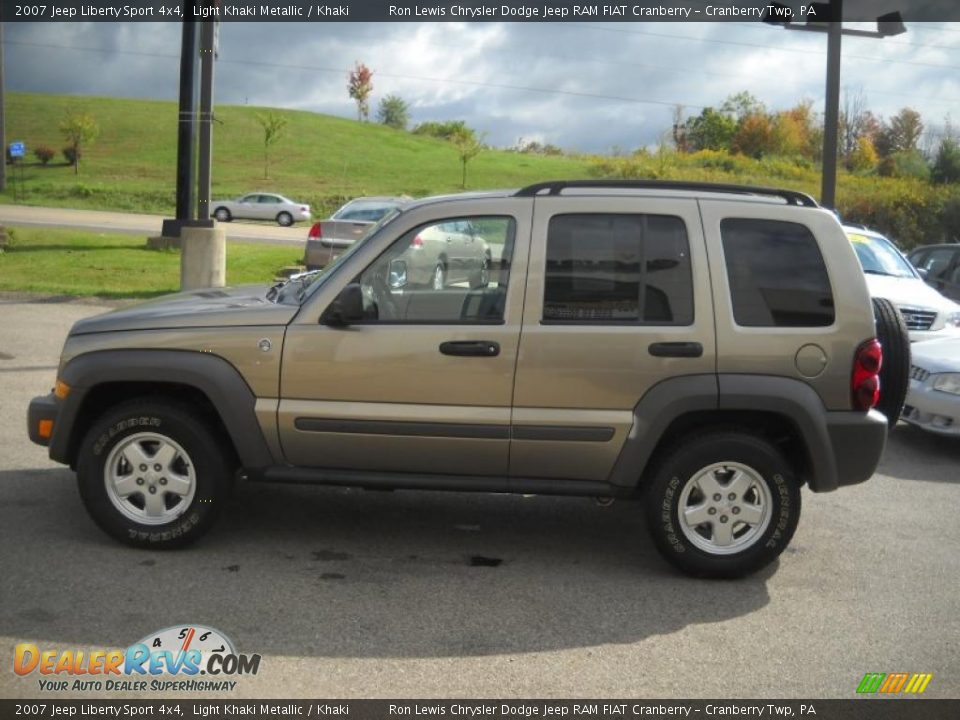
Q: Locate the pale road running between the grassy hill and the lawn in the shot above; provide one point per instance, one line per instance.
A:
(140, 224)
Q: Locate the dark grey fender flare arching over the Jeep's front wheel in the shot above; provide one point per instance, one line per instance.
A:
(231, 397)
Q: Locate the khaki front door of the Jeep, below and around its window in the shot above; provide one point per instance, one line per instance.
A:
(424, 382)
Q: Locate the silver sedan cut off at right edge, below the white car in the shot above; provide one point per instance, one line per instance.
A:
(933, 400)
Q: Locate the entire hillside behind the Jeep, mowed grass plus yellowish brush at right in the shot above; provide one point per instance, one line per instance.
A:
(322, 160)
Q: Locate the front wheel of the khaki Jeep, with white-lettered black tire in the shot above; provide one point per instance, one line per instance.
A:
(203, 451)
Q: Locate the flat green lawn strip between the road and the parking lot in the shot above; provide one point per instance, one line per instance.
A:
(68, 262)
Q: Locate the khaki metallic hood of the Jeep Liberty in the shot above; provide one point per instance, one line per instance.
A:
(211, 307)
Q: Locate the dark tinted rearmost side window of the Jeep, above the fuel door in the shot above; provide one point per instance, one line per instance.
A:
(777, 275)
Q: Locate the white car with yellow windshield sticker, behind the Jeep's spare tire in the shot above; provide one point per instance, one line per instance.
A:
(927, 314)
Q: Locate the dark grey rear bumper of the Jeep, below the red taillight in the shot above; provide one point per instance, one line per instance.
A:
(857, 441)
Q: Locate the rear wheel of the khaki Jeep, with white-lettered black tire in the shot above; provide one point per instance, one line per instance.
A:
(768, 491)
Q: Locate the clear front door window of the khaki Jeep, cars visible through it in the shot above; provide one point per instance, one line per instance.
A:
(435, 275)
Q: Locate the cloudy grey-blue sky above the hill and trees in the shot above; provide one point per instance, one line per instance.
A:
(584, 86)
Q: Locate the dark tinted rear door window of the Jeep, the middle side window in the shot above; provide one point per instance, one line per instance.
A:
(613, 268)
